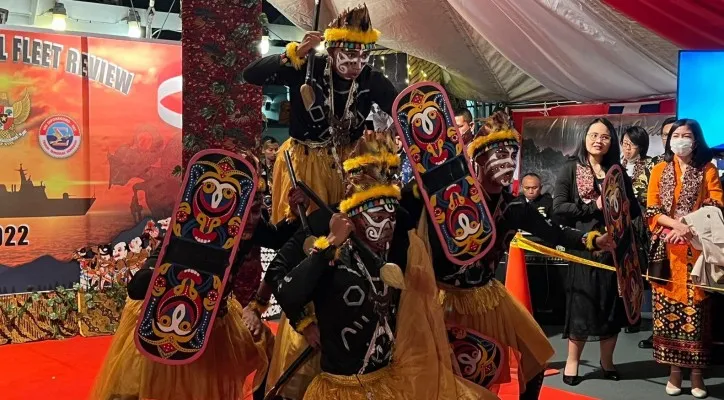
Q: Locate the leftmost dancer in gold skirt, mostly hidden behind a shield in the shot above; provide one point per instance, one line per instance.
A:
(232, 353)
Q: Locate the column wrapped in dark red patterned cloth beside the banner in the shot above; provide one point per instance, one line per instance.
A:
(220, 38)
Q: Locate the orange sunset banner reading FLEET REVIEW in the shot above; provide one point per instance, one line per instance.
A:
(90, 132)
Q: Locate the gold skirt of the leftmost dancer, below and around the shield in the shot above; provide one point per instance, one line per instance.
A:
(219, 374)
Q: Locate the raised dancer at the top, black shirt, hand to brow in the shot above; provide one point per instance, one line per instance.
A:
(344, 88)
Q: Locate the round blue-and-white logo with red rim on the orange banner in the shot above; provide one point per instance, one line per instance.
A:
(59, 136)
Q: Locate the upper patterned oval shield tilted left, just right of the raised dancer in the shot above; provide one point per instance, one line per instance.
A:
(453, 197)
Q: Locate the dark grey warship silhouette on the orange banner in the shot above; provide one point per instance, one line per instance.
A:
(29, 200)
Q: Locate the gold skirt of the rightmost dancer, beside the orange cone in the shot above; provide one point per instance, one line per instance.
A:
(491, 311)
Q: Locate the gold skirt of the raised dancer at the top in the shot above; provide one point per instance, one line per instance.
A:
(315, 167)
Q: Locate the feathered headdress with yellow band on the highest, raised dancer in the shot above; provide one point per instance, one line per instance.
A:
(352, 30)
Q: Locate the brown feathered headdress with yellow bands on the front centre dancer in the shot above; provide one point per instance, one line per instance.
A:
(369, 174)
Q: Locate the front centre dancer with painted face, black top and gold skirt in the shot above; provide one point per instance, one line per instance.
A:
(364, 320)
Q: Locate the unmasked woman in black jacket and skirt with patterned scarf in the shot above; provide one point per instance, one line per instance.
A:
(594, 310)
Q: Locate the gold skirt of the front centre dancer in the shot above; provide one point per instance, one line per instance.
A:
(422, 364)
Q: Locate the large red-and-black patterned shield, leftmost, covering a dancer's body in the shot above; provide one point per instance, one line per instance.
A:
(193, 268)
